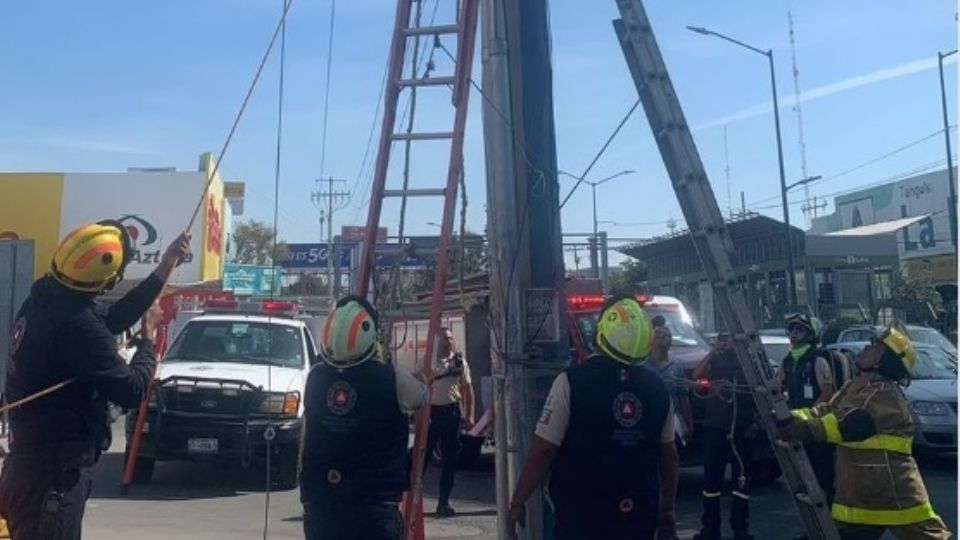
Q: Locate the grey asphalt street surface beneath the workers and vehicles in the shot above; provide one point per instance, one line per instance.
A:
(207, 502)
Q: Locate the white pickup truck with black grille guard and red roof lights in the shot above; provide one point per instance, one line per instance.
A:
(231, 379)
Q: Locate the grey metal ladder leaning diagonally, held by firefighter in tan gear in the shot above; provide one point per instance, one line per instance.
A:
(716, 250)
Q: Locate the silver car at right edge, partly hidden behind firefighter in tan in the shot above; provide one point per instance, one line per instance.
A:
(931, 395)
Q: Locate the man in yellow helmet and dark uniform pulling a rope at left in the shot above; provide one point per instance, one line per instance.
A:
(61, 334)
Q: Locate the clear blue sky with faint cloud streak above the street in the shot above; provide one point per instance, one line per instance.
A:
(100, 86)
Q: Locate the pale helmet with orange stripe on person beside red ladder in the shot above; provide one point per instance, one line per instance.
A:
(350, 334)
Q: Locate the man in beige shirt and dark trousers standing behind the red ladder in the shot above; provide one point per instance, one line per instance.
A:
(451, 407)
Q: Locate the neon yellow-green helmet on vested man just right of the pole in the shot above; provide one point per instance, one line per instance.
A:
(623, 331)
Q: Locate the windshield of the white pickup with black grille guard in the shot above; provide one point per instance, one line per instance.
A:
(235, 341)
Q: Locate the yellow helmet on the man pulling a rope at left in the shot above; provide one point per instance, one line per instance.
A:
(93, 257)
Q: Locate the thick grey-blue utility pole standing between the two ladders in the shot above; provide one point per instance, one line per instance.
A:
(523, 226)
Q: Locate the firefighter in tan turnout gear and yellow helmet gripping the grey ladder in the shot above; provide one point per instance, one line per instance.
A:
(879, 486)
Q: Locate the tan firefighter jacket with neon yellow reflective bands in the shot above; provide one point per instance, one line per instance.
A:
(877, 479)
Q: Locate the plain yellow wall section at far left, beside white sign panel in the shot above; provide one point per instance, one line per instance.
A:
(30, 206)
